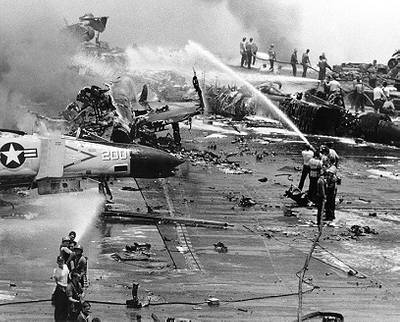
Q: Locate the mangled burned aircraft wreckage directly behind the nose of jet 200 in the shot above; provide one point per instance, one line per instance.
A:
(115, 114)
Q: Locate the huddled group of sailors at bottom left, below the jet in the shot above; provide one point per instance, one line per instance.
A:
(70, 277)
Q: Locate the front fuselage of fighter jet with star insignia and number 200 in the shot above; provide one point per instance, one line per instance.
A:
(58, 164)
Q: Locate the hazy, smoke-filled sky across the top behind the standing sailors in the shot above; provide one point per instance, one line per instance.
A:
(352, 30)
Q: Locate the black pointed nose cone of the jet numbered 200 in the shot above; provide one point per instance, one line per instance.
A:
(148, 162)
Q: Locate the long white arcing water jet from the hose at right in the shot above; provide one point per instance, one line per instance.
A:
(217, 62)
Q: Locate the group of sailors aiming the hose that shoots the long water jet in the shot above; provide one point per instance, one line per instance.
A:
(320, 165)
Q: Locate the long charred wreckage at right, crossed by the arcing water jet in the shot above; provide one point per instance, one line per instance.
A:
(310, 113)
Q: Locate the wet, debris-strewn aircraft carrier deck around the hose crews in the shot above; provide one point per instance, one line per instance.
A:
(255, 280)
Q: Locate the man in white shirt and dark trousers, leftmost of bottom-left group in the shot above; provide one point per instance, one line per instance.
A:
(59, 298)
